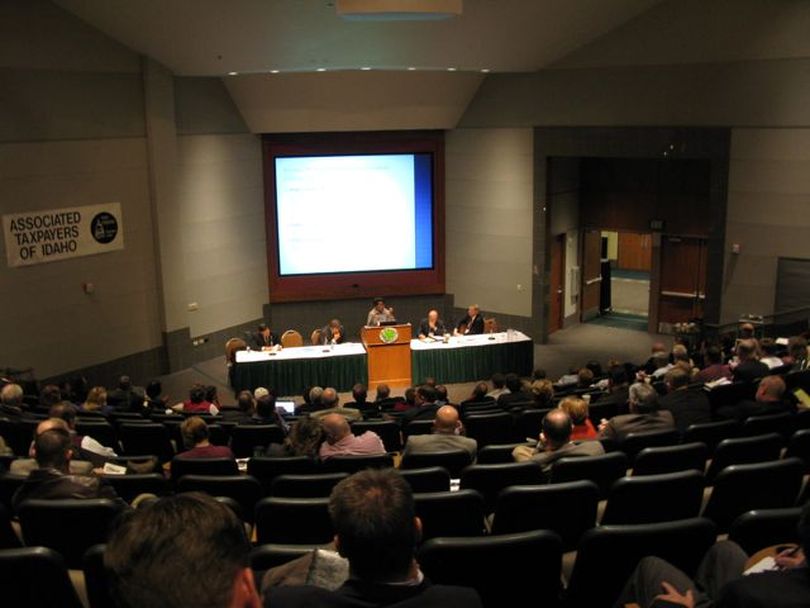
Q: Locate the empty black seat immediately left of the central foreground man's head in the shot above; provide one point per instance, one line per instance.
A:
(293, 521)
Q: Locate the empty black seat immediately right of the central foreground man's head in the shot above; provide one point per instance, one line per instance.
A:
(458, 513)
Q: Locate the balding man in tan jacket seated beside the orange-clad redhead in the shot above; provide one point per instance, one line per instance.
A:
(555, 443)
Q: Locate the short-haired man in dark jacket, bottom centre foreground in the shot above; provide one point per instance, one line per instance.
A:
(377, 531)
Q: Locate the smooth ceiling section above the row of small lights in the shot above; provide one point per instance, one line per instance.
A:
(217, 37)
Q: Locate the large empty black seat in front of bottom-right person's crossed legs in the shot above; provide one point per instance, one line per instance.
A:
(607, 556)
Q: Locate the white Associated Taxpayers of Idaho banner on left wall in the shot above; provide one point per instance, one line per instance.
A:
(37, 237)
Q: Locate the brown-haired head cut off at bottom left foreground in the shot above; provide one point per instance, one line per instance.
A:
(183, 550)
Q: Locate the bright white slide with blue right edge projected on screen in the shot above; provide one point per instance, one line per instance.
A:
(354, 213)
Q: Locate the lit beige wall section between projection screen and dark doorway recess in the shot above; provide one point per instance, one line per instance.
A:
(489, 218)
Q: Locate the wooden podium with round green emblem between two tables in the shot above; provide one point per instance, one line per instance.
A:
(389, 354)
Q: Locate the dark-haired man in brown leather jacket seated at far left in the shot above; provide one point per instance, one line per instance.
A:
(53, 450)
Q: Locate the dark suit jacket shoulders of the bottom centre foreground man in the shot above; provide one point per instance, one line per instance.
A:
(356, 594)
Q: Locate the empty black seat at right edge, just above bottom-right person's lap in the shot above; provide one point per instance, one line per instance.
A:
(761, 528)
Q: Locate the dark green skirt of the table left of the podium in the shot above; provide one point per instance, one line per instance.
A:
(292, 376)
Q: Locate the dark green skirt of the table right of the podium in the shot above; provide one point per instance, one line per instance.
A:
(473, 362)
